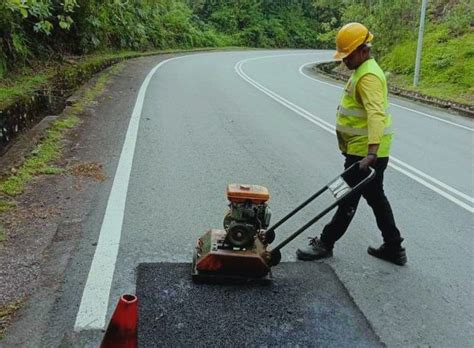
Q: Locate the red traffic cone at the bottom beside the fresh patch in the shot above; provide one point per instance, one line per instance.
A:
(122, 329)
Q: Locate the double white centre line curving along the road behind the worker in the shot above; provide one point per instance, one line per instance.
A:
(330, 128)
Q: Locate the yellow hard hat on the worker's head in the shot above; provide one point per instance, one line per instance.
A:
(349, 37)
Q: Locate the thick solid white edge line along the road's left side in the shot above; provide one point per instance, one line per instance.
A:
(95, 297)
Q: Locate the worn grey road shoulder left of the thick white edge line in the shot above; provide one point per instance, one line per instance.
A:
(44, 231)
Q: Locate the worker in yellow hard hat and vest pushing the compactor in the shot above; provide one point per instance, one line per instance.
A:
(364, 134)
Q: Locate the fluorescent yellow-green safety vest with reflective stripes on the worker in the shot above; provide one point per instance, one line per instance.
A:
(351, 122)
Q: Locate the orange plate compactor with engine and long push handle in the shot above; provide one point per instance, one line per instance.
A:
(240, 251)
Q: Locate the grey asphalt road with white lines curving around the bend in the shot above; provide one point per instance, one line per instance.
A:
(209, 119)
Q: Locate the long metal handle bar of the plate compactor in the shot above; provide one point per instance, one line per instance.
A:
(346, 194)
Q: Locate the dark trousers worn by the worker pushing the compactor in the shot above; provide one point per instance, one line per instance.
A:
(374, 194)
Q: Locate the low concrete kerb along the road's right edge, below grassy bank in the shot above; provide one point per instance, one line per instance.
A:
(326, 68)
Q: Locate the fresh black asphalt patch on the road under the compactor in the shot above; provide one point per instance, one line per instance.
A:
(304, 305)
